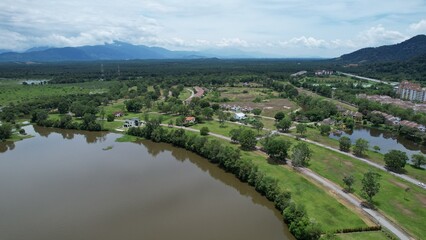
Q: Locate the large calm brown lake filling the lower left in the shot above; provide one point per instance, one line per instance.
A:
(64, 185)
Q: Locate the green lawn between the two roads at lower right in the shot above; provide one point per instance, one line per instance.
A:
(407, 208)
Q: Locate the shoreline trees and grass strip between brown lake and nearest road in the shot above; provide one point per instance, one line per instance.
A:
(272, 181)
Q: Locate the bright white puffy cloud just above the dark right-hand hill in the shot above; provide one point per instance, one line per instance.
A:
(378, 35)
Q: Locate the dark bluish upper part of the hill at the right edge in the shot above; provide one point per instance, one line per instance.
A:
(403, 51)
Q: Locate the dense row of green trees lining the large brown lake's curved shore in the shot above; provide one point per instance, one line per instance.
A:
(229, 159)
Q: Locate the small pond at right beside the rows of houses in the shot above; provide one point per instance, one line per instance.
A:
(386, 140)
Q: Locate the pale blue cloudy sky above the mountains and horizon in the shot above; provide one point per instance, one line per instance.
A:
(280, 28)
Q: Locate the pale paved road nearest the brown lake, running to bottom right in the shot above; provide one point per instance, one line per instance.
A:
(379, 218)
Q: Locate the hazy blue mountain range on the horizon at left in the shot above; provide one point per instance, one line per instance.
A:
(115, 51)
